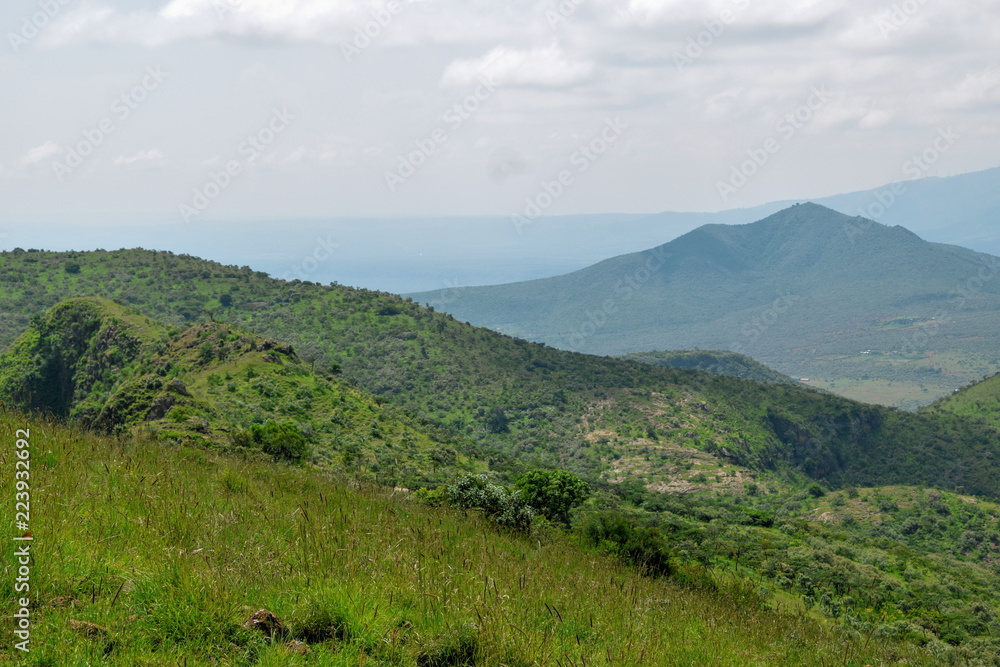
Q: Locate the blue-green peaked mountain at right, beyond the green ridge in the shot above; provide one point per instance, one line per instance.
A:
(808, 291)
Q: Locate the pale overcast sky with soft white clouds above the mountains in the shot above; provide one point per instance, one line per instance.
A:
(192, 110)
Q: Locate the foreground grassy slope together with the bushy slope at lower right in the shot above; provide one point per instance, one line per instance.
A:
(182, 547)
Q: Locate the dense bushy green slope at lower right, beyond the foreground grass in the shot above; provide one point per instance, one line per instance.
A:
(915, 564)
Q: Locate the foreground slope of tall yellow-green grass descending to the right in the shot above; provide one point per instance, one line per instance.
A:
(181, 548)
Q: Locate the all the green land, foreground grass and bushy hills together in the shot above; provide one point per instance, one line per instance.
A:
(737, 500)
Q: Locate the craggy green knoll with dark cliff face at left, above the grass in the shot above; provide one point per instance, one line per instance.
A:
(111, 368)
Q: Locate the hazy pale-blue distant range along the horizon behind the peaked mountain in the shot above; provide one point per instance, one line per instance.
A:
(429, 253)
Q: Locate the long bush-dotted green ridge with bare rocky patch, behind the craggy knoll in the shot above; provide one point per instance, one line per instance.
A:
(603, 418)
